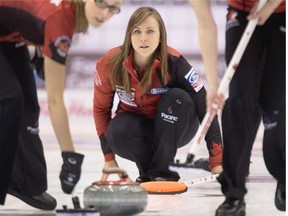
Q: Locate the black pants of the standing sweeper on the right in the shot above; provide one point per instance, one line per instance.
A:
(256, 91)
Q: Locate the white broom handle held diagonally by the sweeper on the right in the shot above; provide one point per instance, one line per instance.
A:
(202, 130)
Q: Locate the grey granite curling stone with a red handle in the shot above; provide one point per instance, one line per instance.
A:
(122, 197)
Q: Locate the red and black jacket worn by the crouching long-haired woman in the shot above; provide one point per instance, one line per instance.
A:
(180, 75)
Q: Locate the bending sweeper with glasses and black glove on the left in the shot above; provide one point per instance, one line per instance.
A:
(50, 24)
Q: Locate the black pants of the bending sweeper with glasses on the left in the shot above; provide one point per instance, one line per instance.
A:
(19, 112)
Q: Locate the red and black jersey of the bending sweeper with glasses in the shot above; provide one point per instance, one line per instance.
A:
(48, 23)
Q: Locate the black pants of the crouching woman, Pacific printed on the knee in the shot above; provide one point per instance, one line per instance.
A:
(152, 144)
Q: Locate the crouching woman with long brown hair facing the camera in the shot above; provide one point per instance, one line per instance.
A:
(162, 100)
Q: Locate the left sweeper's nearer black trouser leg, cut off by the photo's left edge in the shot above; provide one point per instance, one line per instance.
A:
(11, 107)
